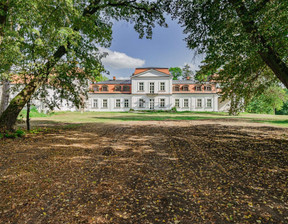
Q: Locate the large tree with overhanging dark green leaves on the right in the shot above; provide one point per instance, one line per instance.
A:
(244, 42)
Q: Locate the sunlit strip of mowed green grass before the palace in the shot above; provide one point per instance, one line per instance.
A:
(110, 117)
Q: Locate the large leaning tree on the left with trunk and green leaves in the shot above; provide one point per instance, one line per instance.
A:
(60, 41)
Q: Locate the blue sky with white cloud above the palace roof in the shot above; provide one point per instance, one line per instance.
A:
(167, 48)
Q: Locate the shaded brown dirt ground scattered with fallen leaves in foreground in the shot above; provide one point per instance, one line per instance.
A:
(146, 172)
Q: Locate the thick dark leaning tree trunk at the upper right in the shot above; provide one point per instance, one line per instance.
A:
(267, 53)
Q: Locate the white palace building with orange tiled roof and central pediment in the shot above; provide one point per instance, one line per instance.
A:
(154, 89)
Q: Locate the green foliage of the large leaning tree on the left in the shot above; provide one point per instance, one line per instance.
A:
(57, 43)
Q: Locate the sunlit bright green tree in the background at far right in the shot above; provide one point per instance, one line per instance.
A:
(272, 99)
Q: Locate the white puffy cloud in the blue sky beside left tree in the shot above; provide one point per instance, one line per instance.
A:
(118, 60)
